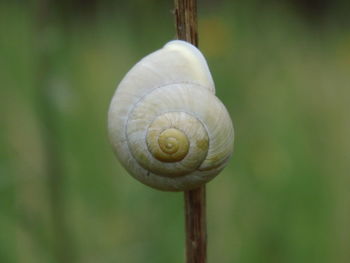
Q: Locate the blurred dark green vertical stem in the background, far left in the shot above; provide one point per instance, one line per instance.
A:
(62, 248)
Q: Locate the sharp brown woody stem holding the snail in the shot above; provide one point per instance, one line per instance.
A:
(195, 205)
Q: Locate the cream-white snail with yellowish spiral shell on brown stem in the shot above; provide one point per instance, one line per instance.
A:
(166, 126)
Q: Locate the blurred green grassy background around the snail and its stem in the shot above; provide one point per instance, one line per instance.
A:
(281, 67)
